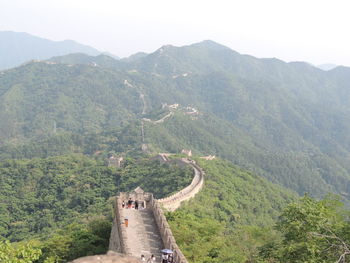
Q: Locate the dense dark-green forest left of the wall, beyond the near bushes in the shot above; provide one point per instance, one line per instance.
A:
(39, 195)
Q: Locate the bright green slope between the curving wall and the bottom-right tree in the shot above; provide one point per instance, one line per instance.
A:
(231, 217)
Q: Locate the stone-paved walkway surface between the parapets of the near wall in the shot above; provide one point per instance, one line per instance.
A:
(143, 237)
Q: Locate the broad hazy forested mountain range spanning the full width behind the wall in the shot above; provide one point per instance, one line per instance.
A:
(289, 122)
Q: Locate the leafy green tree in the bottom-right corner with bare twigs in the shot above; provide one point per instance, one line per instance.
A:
(313, 231)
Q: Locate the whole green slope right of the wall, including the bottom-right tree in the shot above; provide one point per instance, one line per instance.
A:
(239, 217)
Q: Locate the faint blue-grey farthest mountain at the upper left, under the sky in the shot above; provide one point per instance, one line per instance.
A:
(17, 48)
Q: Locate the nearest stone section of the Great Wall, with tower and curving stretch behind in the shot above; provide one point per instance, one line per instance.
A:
(146, 231)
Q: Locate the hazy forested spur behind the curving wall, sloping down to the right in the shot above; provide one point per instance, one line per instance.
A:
(206, 134)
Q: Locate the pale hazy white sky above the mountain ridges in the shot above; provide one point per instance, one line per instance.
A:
(307, 30)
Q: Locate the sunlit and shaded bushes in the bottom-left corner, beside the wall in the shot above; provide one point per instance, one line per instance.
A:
(71, 242)
